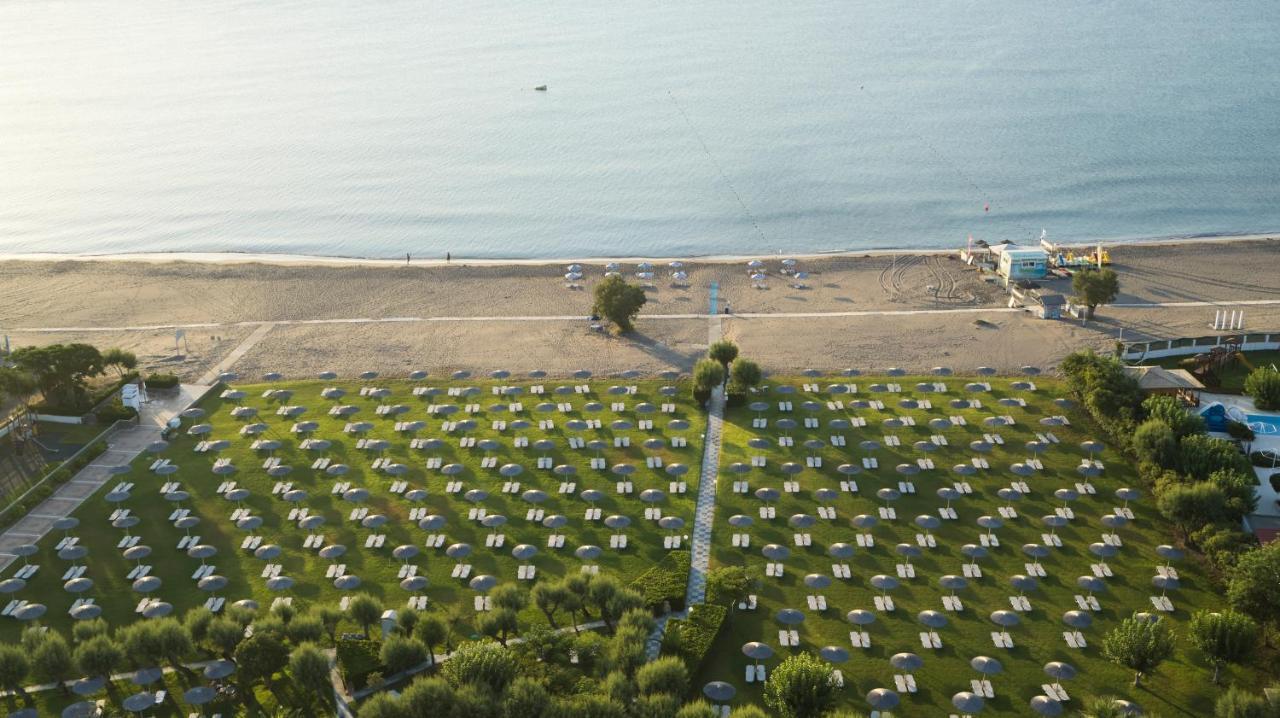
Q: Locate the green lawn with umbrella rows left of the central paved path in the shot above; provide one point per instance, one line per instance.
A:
(376, 568)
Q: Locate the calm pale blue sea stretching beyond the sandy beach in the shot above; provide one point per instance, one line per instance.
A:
(669, 129)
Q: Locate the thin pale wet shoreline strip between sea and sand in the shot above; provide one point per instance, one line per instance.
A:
(321, 260)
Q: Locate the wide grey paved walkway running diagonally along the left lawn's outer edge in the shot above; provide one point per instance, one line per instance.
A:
(124, 447)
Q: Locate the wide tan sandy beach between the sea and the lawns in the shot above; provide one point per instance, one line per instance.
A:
(863, 310)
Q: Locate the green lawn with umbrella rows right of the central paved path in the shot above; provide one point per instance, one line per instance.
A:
(1180, 688)
